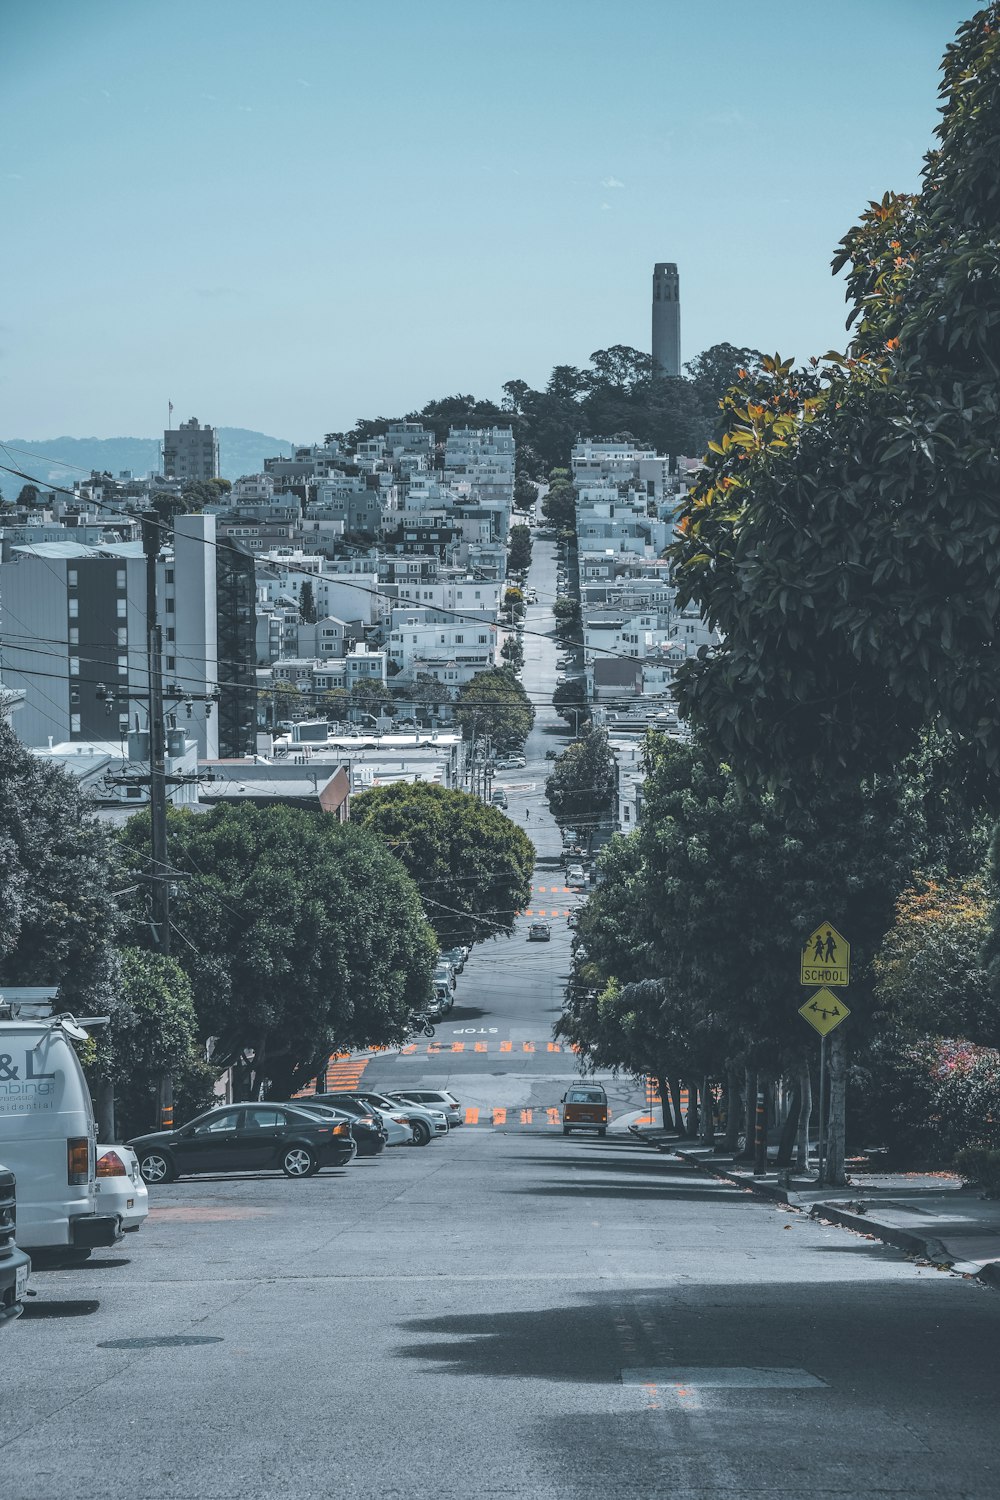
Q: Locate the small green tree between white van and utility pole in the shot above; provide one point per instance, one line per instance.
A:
(154, 1031)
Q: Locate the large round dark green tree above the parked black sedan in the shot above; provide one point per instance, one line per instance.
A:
(299, 935)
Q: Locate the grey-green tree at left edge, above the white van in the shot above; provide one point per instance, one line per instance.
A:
(59, 881)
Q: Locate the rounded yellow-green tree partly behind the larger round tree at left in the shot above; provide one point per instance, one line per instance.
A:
(472, 865)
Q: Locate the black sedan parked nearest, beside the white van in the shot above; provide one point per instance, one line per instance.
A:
(245, 1138)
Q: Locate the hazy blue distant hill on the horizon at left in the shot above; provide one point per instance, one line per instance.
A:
(241, 452)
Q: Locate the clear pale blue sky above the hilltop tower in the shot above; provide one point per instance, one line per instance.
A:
(286, 217)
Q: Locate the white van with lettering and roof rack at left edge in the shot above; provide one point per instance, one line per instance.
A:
(47, 1135)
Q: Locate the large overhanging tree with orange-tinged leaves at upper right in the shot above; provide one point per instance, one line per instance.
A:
(846, 536)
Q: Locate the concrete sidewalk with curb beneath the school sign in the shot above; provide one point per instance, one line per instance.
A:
(929, 1214)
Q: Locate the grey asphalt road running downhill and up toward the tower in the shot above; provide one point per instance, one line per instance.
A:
(506, 1313)
